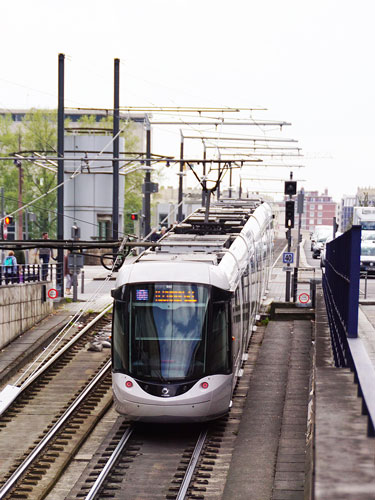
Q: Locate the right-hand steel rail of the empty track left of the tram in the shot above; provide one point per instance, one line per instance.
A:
(11, 482)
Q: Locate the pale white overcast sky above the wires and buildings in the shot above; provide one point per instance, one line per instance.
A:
(308, 63)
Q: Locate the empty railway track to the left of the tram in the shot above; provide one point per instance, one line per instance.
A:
(54, 413)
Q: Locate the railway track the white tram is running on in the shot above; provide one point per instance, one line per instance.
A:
(149, 461)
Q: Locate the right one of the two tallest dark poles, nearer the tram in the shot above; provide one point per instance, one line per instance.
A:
(116, 143)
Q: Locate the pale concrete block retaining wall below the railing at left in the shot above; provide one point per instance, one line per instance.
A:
(21, 306)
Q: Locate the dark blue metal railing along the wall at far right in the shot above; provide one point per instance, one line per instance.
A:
(341, 292)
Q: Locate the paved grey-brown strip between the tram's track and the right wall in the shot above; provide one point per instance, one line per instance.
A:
(269, 459)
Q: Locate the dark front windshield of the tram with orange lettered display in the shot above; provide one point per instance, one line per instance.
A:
(161, 332)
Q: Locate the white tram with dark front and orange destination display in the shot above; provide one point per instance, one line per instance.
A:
(184, 313)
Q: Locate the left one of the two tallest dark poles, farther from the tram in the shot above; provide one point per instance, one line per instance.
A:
(60, 177)
